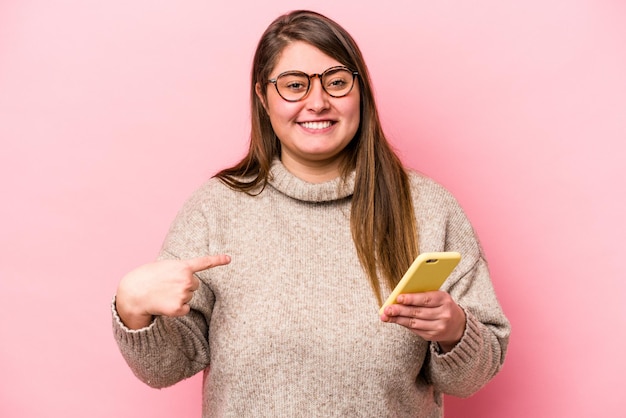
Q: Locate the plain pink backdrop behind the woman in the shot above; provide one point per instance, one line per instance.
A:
(112, 112)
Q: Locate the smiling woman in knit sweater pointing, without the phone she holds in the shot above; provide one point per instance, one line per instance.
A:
(319, 221)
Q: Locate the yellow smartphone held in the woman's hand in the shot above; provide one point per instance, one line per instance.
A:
(426, 273)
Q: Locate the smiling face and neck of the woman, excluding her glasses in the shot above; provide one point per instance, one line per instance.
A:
(314, 131)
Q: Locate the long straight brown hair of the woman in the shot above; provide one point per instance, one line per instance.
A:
(382, 219)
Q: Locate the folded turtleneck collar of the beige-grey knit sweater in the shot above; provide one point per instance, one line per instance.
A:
(285, 182)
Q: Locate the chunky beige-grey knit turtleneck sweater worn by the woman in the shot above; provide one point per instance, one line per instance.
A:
(290, 327)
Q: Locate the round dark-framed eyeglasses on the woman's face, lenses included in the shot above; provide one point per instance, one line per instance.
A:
(295, 85)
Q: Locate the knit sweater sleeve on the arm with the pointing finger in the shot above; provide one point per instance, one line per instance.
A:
(172, 349)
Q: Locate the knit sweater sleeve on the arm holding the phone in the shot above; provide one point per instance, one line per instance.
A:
(480, 353)
